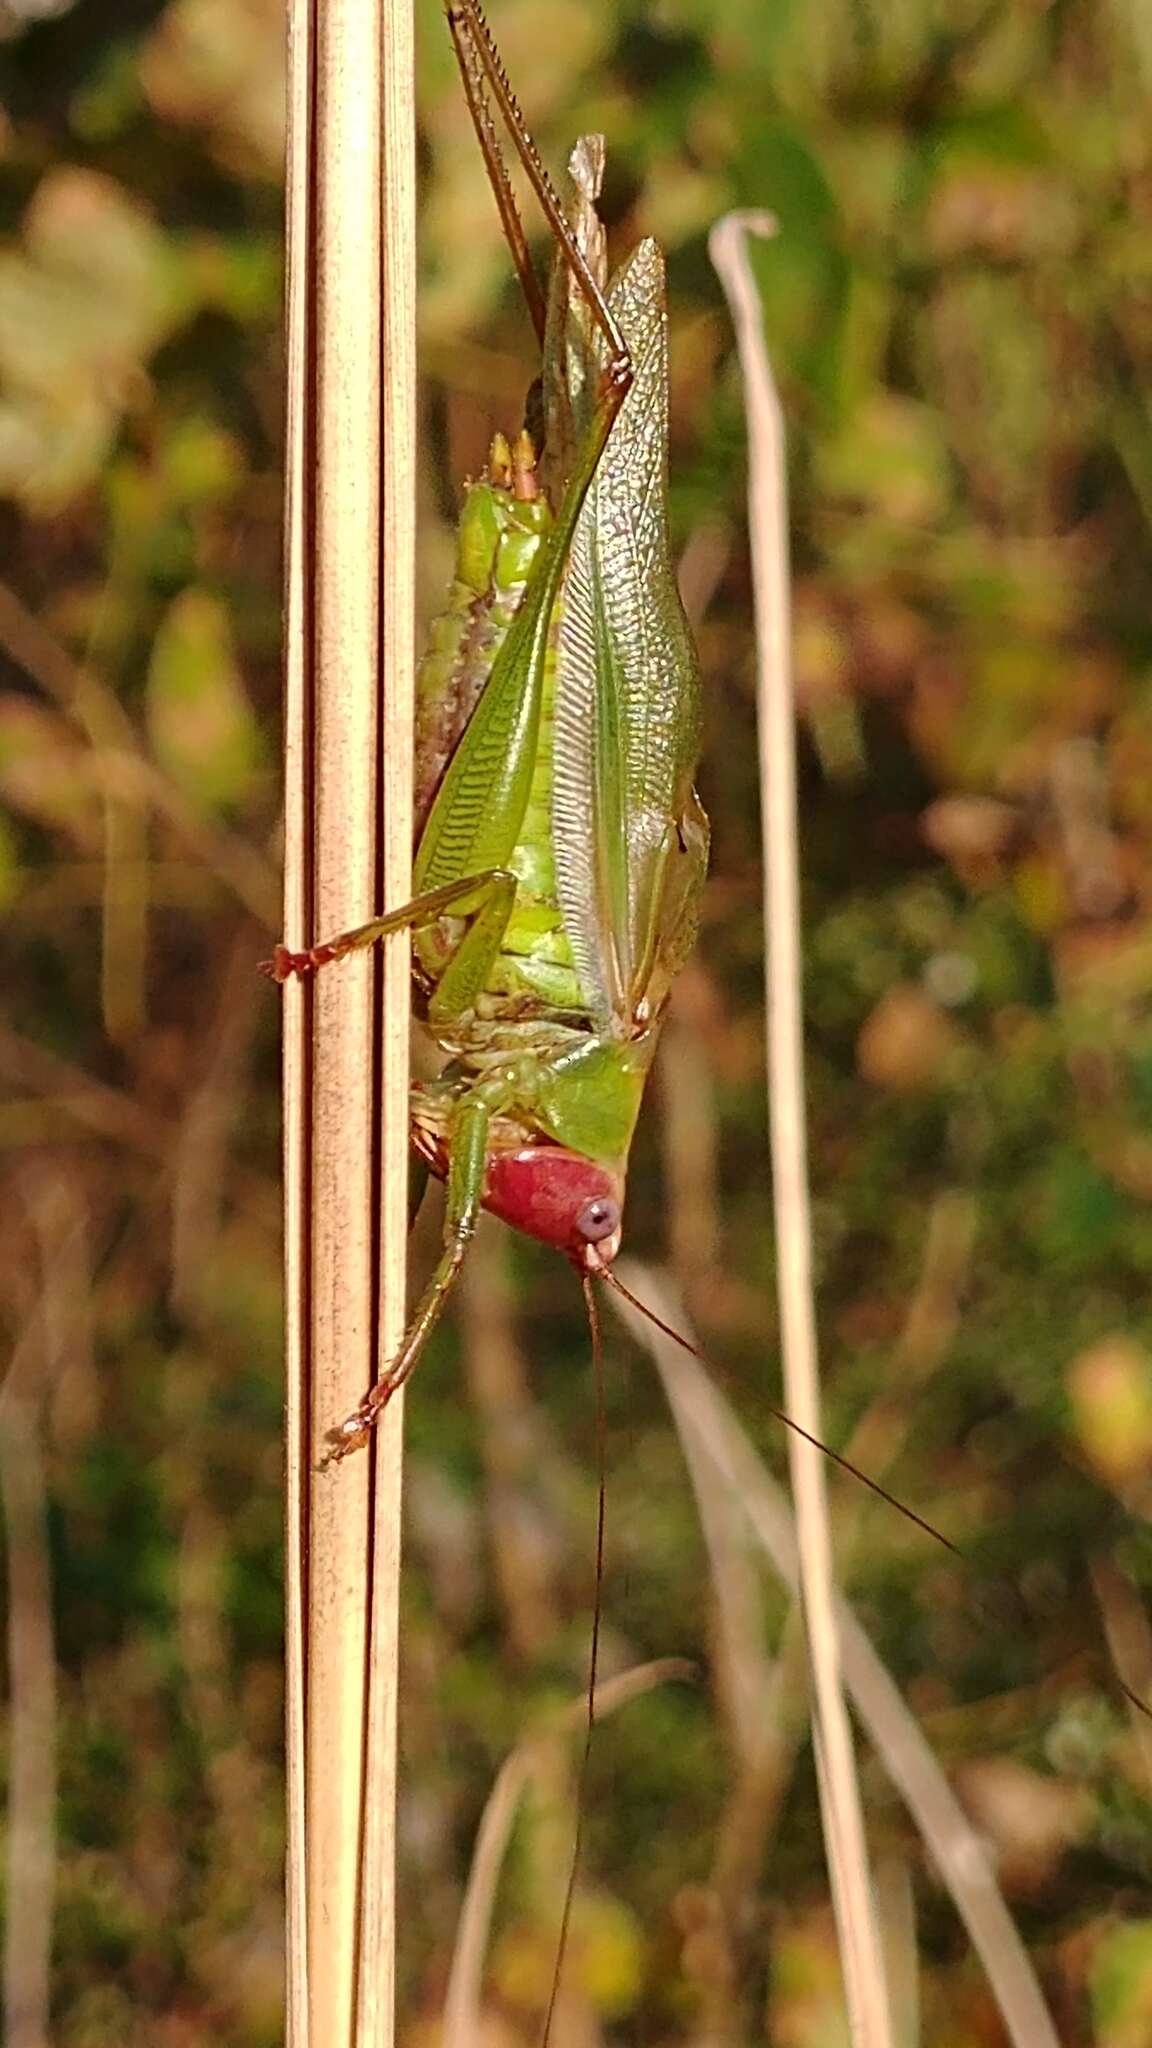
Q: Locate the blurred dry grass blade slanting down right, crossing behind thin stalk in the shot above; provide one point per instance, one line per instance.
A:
(708, 1424)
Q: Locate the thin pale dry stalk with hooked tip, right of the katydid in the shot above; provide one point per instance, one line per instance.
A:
(768, 529)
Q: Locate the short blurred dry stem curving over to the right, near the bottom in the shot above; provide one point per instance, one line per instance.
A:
(462, 2002)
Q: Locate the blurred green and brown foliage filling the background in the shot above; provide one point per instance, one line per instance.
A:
(958, 304)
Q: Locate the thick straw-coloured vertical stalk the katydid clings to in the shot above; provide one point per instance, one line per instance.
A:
(347, 837)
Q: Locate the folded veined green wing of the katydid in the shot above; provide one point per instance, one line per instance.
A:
(630, 835)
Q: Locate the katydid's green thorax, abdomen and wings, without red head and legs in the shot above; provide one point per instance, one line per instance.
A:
(595, 816)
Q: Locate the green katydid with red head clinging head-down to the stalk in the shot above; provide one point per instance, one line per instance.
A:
(561, 843)
